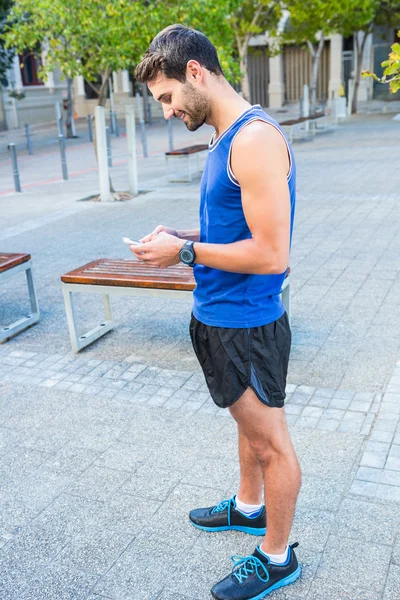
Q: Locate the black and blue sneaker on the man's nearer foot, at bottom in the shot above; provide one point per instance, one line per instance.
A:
(254, 577)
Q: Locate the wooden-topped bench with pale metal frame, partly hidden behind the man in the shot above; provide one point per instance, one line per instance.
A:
(127, 277)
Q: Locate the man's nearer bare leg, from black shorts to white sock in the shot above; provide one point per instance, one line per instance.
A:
(266, 431)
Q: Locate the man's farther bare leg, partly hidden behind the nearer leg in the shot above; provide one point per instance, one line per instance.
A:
(251, 475)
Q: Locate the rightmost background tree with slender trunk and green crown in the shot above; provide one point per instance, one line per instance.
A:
(361, 20)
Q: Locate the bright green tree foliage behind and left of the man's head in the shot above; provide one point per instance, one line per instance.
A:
(96, 37)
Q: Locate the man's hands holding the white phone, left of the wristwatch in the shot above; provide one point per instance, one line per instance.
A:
(161, 251)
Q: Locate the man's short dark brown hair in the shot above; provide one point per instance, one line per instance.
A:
(170, 52)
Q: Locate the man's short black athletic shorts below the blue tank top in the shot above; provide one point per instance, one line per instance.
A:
(236, 359)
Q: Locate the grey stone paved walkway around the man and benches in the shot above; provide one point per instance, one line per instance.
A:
(102, 454)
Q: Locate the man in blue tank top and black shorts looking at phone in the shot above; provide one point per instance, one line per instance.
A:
(239, 329)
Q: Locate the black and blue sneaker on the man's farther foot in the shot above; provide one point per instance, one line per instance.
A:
(225, 516)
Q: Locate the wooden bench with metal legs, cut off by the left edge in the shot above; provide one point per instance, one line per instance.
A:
(10, 265)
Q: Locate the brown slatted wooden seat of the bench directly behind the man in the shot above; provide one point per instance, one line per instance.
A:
(132, 273)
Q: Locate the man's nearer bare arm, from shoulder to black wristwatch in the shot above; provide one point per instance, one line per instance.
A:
(260, 163)
